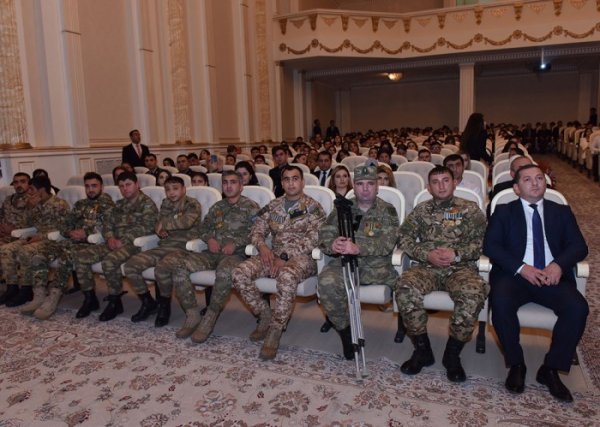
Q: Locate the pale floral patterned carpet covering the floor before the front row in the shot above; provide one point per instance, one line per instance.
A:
(60, 372)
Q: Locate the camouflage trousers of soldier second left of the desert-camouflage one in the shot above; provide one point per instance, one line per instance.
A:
(135, 266)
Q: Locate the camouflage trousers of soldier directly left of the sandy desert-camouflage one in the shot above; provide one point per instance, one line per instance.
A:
(175, 272)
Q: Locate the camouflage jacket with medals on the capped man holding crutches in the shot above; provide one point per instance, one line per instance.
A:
(376, 237)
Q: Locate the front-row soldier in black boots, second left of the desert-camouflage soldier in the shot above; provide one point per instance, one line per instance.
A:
(177, 221)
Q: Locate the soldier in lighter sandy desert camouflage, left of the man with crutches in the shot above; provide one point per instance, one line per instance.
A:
(293, 221)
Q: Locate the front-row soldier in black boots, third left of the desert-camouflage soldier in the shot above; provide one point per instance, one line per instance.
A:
(133, 216)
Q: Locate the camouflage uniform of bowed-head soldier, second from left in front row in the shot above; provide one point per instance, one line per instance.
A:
(19, 261)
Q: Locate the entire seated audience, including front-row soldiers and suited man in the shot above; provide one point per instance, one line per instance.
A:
(444, 237)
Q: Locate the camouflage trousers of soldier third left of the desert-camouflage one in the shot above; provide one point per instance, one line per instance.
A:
(84, 257)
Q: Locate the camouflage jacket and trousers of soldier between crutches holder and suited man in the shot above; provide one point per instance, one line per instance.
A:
(456, 224)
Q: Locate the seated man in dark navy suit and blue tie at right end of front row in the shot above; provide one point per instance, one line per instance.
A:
(533, 260)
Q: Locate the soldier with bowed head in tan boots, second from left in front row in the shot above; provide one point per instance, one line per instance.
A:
(47, 214)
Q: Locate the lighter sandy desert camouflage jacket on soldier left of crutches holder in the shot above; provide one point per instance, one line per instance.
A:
(295, 231)
